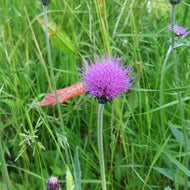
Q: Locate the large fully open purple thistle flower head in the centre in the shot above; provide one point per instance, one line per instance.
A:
(106, 78)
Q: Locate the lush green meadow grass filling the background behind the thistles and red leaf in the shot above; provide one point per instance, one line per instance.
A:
(143, 134)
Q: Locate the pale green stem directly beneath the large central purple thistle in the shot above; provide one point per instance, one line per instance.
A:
(100, 145)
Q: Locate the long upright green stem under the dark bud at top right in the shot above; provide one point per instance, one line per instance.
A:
(181, 110)
